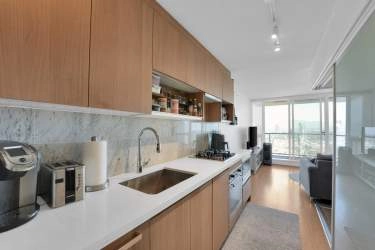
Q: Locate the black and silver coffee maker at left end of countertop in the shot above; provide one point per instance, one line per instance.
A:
(19, 166)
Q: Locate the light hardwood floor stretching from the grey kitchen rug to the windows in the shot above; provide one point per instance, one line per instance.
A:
(273, 188)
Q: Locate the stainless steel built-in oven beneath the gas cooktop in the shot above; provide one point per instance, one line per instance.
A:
(235, 194)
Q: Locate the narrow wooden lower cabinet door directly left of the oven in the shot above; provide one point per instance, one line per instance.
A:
(220, 205)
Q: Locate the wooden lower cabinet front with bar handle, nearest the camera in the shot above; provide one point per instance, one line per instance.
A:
(138, 239)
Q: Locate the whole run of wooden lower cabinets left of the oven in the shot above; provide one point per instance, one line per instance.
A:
(200, 221)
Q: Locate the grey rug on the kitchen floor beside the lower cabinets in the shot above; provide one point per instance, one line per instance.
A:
(262, 228)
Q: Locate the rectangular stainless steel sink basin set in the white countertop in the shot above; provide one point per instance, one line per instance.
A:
(158, 181)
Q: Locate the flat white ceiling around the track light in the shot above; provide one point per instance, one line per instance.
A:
(238, 33)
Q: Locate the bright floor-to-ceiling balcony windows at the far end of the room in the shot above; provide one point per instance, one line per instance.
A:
(303, 127)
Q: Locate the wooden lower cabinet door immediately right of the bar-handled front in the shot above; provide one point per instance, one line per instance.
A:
(171, 229)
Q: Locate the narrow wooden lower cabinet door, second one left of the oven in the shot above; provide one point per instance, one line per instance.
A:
(201, 219)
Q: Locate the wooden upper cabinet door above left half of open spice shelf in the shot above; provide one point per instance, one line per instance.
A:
(169, 47)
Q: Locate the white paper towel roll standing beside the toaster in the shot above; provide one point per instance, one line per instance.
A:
(94, 157)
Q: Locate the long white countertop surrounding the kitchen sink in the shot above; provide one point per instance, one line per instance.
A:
(104, 216)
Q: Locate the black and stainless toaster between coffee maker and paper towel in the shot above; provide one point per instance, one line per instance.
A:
(61, 183)
